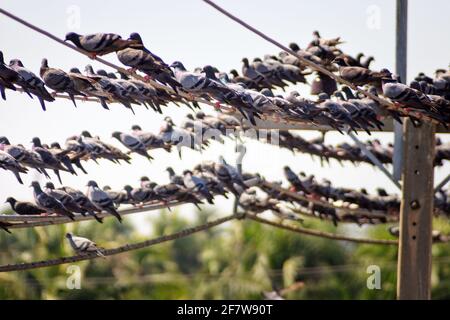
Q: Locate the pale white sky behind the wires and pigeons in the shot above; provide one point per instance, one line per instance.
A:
(194, 33)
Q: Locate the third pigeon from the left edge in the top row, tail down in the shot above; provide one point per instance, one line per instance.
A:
(59, 81)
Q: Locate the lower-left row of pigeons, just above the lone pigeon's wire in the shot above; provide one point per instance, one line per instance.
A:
(205, 181)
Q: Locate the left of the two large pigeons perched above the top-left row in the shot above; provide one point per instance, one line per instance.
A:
(99, 44)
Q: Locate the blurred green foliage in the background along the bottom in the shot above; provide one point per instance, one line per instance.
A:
(239, 260)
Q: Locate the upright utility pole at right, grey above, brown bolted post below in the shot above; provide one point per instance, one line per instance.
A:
(416, 210)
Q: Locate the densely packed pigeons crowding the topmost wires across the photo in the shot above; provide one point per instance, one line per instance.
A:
(250, 93)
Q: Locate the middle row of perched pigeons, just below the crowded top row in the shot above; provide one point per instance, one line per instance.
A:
(194, 132)
